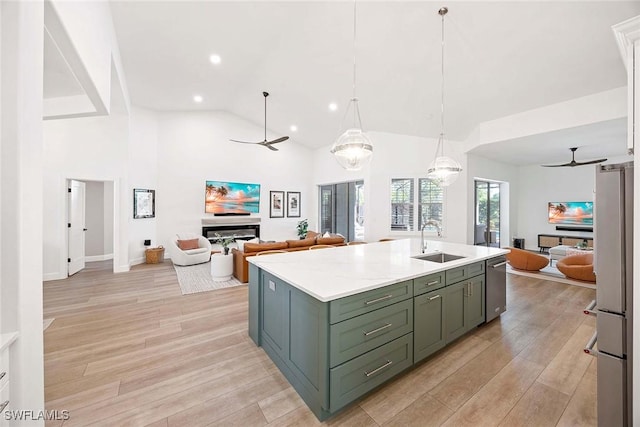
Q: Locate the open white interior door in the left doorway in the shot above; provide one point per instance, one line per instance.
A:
(76, 226)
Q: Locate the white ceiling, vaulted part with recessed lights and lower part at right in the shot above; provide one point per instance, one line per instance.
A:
(501, 58)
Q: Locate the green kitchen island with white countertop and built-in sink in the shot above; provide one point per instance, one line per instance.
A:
(339, 322)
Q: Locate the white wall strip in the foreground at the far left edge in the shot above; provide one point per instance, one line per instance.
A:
(21, 157)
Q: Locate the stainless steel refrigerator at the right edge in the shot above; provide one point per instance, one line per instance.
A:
(613, 265)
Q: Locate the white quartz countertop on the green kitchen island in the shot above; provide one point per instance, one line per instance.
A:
(329, 274)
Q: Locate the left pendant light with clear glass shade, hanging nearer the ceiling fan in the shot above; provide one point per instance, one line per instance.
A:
(353, 149)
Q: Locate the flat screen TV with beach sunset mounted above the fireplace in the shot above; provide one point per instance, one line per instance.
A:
(231, 198)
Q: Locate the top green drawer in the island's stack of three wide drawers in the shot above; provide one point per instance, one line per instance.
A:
(355, 305)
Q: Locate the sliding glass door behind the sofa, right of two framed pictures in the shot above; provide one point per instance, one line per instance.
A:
(342, 209)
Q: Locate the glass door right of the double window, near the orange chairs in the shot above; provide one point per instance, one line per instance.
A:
(487, 213)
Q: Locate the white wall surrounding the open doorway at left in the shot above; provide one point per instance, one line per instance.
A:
(87, 149)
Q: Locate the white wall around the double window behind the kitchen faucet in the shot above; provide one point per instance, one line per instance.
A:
(398, 156)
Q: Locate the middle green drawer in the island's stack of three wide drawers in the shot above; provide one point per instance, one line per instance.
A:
(360, 334)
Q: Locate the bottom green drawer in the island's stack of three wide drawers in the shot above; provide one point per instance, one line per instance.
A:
(351, 380)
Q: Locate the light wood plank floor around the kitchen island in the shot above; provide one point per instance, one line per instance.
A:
(129, 349)
